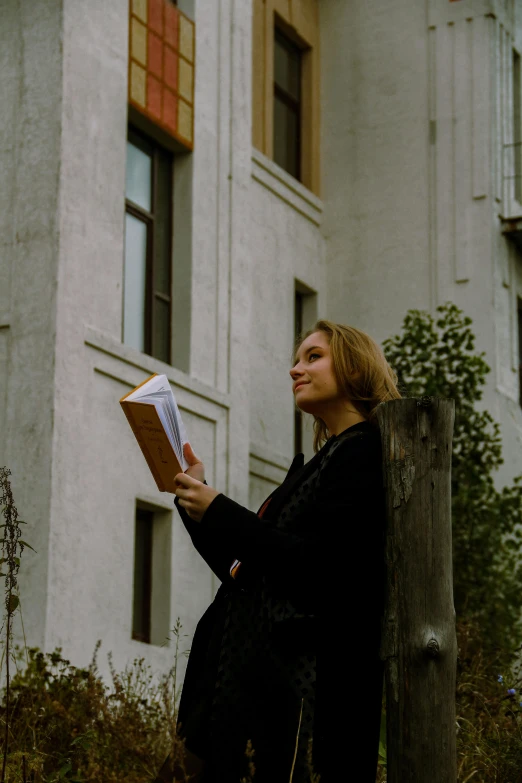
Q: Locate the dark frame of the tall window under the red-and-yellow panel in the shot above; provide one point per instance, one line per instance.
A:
(150, 147)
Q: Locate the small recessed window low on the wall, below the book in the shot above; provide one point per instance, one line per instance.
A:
(152, 570)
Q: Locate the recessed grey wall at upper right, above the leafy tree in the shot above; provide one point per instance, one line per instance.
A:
(412, 217)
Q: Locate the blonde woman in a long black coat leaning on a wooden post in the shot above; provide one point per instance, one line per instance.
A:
(287, 655)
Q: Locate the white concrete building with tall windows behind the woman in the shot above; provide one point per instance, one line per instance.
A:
(393, 181)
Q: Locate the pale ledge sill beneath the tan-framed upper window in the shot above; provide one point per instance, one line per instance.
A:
(289, 190)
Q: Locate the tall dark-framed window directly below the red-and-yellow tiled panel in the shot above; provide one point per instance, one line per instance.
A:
(148, 234)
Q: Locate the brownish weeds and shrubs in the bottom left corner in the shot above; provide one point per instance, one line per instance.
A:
(67, 725)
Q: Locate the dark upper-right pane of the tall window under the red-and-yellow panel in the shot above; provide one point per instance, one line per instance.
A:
(162, 223)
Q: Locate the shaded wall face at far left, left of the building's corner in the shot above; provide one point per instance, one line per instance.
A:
(30, 161)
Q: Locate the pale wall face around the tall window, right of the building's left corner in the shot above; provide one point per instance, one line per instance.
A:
(99, 474)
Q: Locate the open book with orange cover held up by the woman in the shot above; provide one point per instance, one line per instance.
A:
(153, 414)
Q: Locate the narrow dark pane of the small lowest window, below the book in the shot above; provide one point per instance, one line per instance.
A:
(142, 576)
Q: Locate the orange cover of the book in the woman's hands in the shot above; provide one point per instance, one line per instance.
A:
(153, 439)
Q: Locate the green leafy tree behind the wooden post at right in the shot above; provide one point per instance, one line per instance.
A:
(440, 362)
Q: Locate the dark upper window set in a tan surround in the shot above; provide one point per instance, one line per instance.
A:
(287, 104)
